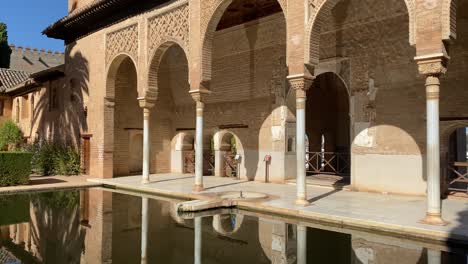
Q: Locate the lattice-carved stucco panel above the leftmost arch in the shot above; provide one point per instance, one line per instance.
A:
(122, 40)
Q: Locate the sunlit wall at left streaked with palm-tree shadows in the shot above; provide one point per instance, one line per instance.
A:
(53, 111)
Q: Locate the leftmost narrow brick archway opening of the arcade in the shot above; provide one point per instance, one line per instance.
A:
(122, 115)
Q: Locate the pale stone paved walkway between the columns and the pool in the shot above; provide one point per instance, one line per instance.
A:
(387, 214)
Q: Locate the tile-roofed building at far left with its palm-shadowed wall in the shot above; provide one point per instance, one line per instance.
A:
(35, 96)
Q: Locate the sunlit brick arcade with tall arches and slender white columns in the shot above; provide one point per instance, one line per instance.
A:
(360, 80)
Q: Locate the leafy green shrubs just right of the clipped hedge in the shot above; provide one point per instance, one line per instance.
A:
(54, 159)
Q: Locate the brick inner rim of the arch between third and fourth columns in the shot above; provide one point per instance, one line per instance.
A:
(321, 13)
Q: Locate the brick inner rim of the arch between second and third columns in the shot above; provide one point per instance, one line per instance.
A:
(207, 48)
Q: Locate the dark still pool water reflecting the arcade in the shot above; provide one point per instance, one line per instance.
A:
(96, 226)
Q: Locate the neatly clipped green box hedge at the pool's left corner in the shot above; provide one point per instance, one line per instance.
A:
(15, 168)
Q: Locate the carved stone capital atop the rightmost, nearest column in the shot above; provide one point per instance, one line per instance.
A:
(432, 64)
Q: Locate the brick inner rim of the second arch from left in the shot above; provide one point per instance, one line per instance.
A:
(157, 57)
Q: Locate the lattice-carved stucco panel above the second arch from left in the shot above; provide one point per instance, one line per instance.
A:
(170, 25)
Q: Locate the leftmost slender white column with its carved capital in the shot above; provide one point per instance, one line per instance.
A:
(146, 104)
